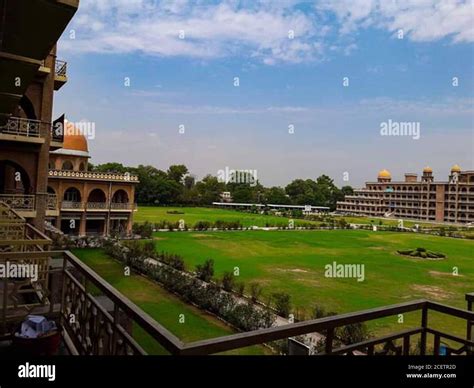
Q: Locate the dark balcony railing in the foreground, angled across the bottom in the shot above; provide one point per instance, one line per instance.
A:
(100, 331)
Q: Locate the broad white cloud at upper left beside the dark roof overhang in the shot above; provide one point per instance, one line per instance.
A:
(210, 30)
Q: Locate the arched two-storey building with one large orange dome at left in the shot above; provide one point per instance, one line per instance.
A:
(83, 202)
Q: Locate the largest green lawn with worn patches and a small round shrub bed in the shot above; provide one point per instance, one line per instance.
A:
(293, 262)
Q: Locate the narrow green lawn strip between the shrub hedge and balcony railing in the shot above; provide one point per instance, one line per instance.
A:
(164, 307)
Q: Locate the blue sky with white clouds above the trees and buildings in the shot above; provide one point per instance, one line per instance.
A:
(291, 89)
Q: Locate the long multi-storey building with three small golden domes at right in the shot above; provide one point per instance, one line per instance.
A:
(417, 199)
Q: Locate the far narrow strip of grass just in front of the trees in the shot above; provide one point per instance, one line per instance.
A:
(193, 214)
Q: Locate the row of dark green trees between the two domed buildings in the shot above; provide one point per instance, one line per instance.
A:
(177, 186)
